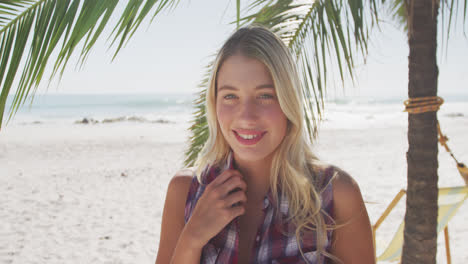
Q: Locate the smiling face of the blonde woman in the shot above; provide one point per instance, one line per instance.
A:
(248, 110)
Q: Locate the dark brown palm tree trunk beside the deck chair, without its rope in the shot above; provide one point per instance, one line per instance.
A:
(420, 234)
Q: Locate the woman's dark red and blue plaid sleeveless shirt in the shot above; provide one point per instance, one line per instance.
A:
(275, 240)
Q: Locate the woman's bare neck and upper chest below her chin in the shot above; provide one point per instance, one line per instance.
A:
(256, 174)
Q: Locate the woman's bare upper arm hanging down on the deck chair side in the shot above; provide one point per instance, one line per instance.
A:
(352, 239)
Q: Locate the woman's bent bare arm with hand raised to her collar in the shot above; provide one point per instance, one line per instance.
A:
(218, 205)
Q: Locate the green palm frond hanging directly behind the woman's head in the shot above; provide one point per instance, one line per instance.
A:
(319, 34)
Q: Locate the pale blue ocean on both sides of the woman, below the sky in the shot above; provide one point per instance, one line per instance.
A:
(343, 112)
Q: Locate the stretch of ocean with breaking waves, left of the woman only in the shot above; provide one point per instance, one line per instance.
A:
(71, 108)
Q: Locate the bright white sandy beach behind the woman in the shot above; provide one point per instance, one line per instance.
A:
(73, 193)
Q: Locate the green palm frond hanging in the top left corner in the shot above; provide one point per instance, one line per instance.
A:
(44, 26)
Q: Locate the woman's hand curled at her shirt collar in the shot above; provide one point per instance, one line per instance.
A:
(222, 201)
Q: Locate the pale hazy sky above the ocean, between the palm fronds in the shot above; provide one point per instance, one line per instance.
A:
(170, 54)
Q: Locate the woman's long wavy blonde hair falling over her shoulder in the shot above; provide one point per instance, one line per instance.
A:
(293, 167)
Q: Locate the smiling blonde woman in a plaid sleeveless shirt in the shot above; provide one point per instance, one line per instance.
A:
(259, 194)
